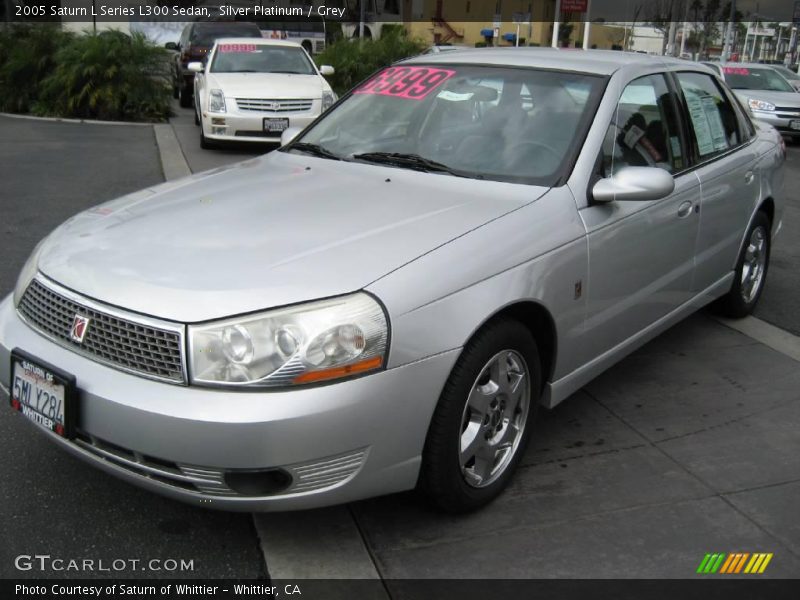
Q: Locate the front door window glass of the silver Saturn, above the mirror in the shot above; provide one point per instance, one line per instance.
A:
(644, 131)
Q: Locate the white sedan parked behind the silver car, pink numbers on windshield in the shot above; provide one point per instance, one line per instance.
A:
(251, 90)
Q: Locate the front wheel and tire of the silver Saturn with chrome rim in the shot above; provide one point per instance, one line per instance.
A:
(460, 471)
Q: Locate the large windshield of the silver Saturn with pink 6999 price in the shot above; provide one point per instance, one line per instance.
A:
(506, 124)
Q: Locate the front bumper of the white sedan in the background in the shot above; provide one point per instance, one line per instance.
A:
(237, 125)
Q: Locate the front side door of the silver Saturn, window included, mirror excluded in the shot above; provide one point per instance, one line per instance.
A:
(641, 254)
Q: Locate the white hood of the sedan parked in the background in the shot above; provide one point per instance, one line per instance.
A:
(267, 85)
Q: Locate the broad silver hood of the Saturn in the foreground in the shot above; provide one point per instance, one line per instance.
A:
(268, 232)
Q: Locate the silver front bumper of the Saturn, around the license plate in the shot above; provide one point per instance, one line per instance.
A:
(338, 442)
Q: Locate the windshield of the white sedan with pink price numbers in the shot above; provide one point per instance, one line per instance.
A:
(260, 58)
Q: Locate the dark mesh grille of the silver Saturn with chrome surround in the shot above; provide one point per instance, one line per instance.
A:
(109, 339)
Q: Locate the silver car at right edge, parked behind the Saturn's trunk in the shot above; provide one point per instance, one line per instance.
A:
(766, 93)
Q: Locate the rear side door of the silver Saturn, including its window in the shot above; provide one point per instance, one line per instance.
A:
(724, 158)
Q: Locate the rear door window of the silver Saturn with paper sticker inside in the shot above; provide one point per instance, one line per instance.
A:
(712, 118)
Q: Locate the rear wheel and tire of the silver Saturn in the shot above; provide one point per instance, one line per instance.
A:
(751, 271)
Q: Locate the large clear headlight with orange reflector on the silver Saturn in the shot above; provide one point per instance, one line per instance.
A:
(318, 341)
